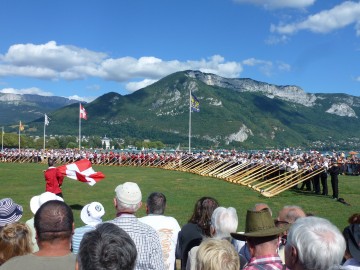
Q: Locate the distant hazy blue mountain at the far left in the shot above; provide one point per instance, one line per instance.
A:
(28, 107)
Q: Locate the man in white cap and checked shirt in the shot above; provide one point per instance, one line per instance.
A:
(127, 201)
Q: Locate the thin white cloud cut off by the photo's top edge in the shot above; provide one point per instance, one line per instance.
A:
(277, 4)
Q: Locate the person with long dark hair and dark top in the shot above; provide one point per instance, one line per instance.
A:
(198, 226)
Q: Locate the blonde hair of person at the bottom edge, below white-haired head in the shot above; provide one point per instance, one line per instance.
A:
(214, 254)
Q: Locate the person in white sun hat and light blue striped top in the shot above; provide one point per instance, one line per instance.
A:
(91, 215)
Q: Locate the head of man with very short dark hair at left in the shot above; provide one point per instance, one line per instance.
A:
(54, 220)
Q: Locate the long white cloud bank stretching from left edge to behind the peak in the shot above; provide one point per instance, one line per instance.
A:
(56, 62)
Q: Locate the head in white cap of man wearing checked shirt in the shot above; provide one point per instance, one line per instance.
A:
(128, 197)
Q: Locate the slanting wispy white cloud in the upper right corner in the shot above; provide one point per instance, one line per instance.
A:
(342, 15)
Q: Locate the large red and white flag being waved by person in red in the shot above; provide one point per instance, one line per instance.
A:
(82, 171)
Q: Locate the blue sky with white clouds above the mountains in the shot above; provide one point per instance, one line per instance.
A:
(85, 48)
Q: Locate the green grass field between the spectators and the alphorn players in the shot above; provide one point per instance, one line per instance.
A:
(22, 181)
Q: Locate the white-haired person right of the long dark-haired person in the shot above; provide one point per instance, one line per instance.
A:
(223, 222)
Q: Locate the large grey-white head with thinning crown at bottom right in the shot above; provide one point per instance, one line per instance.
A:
(314, 243)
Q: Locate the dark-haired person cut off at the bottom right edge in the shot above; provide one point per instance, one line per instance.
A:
(352, 253)
